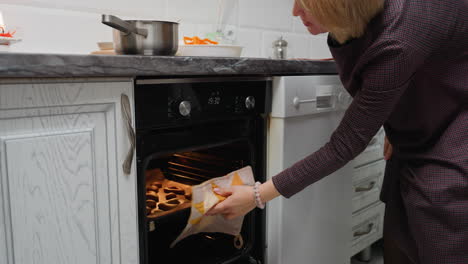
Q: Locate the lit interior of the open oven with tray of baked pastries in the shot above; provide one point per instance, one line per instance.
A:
(168, 181)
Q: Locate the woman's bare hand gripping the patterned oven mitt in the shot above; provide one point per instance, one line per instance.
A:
(240, 200)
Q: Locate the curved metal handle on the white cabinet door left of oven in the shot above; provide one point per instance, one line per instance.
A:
(127, 116)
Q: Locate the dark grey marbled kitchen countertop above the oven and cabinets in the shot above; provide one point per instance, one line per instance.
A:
(30, 65)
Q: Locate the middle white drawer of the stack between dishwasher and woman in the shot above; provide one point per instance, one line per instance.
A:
(367, 182)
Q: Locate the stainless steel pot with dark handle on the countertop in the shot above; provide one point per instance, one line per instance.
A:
(143, 37)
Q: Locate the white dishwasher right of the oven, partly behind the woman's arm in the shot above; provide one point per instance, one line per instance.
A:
(313, 226)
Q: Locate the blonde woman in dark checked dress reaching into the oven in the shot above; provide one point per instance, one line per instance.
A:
(405, 62)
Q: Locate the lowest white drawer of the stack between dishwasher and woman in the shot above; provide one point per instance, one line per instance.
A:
(367, 227)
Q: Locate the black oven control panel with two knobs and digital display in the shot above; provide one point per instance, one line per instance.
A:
(165, 103)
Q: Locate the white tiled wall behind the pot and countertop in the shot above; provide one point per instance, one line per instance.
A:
(73, 26)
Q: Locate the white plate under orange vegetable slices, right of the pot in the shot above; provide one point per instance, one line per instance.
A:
(210, 50)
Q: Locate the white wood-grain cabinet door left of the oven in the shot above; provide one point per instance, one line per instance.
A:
(64, 197)
